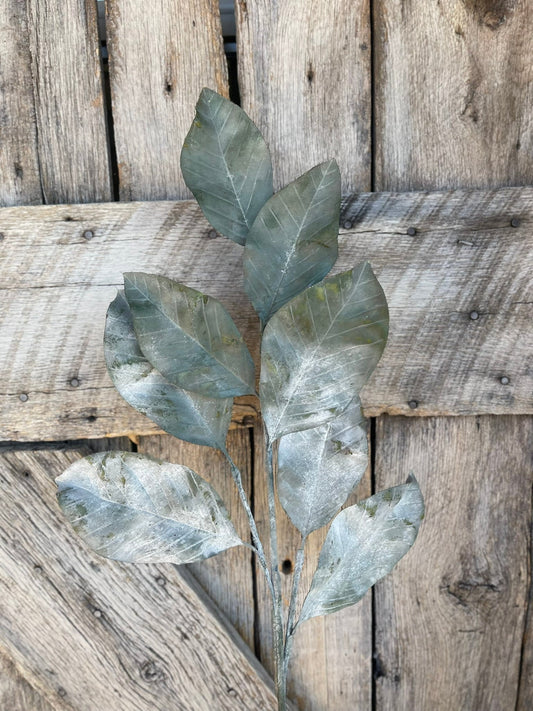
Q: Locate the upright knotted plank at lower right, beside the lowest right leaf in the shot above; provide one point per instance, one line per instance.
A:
(449, 619)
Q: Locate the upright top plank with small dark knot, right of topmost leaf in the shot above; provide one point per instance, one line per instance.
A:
(304, 79)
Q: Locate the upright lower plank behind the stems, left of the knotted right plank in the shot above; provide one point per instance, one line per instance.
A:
(331, 660)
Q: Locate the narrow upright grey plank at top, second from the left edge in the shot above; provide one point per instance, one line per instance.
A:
(67, 85)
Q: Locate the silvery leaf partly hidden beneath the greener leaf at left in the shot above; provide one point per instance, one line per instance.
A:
(184, 414)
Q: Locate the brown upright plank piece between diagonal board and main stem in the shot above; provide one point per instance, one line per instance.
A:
(227, 577)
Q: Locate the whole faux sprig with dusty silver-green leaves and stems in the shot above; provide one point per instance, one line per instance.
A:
(175, 355)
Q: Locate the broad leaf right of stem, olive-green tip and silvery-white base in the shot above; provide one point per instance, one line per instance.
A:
(320, 349)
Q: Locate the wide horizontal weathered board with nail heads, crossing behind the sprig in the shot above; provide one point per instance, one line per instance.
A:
(62, 265)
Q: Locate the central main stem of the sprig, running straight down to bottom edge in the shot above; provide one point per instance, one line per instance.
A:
(277, 620)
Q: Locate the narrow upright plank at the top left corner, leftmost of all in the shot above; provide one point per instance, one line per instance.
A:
(19, 162)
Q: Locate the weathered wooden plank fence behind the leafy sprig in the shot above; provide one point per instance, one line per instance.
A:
(434, 96)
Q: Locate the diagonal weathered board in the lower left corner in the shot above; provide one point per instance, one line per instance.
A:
(140, 637)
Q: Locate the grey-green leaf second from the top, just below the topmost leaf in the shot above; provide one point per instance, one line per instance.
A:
(293, 241)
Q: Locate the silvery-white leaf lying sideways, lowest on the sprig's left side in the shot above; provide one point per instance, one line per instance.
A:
(133, 508)
